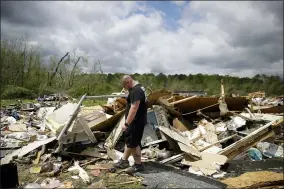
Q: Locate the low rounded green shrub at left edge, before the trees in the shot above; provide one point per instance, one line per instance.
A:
(12, 92)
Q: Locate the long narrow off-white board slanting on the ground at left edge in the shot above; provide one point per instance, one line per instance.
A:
(25, 150)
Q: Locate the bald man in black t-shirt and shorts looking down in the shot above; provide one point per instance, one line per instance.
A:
(135, 121)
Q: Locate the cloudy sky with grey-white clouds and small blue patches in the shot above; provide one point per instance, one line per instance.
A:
(226, 37)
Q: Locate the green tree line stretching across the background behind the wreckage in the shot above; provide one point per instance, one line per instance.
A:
(25, 75)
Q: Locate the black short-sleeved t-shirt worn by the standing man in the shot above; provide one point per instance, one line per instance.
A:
(137, 93)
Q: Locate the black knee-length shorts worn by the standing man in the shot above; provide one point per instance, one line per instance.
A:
(134, 134)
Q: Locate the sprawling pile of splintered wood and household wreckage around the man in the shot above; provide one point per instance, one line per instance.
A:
(196, 134)
